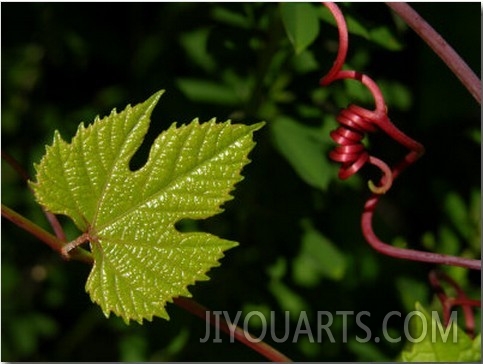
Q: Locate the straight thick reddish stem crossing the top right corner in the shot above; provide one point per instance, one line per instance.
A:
(449, 56)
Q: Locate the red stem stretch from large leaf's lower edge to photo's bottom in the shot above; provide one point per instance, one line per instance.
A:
(260, 347)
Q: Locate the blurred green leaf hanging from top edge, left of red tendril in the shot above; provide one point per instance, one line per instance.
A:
(301, 24)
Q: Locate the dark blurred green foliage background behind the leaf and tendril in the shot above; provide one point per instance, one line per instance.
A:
(301, 247)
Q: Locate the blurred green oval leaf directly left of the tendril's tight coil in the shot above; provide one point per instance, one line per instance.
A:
(303, 148)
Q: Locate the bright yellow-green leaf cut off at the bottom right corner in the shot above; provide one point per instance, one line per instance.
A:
(436, 348)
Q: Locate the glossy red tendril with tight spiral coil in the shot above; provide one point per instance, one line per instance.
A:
(355, 122)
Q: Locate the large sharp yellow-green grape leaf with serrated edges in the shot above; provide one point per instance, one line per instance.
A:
(141, 261)
